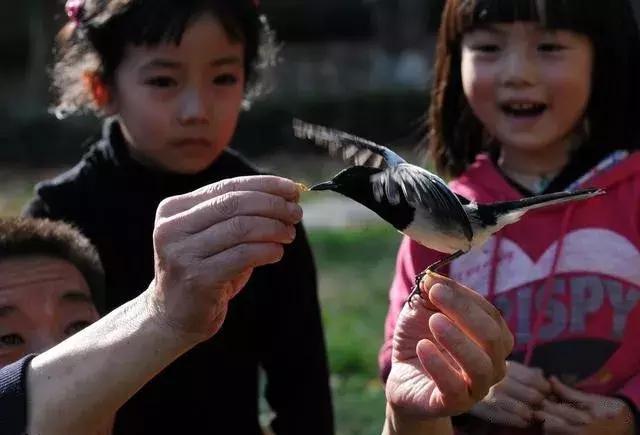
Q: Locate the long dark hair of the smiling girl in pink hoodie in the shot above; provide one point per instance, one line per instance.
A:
(456, 136)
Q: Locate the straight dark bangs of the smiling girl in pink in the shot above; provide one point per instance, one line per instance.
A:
(581, 16)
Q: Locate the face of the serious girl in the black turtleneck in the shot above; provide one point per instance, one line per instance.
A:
(179, 104)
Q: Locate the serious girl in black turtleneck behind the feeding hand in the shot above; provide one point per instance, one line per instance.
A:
(170, 78)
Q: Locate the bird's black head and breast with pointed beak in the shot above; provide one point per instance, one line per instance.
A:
(356, 183)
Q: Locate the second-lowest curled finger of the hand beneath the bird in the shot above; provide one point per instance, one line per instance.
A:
(472, 359)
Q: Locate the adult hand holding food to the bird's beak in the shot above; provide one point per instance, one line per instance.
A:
(208, 242)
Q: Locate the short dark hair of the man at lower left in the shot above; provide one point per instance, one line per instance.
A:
(21, 237)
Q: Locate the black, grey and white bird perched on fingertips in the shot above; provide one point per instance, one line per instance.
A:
(417, 202)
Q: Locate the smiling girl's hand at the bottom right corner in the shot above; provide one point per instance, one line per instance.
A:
(579, 413)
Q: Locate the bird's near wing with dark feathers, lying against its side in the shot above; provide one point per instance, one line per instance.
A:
(423, 189)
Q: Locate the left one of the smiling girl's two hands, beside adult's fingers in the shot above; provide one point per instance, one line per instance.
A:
(512, 401)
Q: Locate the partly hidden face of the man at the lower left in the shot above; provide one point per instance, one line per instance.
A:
(43, 300)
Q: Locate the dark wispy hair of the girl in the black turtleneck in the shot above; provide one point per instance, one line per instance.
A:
(94, 41)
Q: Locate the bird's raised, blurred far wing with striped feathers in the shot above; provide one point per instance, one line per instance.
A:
(348, 147)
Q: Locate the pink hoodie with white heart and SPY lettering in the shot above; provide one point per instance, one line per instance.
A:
(566, 278)
